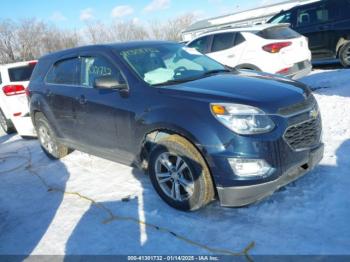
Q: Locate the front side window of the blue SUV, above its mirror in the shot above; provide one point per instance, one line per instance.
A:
(97, 67)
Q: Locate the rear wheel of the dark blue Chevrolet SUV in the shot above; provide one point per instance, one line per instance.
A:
(48, 140)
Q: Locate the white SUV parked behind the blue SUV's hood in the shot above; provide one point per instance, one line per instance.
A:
(275, 49)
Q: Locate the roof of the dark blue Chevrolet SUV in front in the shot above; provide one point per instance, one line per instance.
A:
(116, 46)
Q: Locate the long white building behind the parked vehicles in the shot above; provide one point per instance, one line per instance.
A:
(241, 19)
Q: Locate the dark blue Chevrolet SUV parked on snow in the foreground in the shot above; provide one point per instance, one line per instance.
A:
(200, 128)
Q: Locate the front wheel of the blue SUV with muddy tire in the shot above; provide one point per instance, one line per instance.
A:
(180, 175)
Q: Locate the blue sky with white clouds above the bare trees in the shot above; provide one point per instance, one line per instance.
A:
(73, 14)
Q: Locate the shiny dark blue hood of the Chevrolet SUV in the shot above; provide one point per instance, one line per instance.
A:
(265, 91)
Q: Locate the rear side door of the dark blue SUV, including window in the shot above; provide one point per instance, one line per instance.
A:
(61, 92)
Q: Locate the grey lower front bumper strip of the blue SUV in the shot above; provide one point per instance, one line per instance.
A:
(244, 195)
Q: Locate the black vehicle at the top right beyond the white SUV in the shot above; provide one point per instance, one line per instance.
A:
(327, 26)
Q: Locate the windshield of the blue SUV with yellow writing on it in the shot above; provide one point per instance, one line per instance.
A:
(169, 63)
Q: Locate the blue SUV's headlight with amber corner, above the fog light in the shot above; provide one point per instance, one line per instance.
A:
(242, 119)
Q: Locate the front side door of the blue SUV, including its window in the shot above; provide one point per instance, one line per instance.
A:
(103, 119)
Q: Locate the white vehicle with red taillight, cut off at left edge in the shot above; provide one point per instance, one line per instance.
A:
(14, 111)
